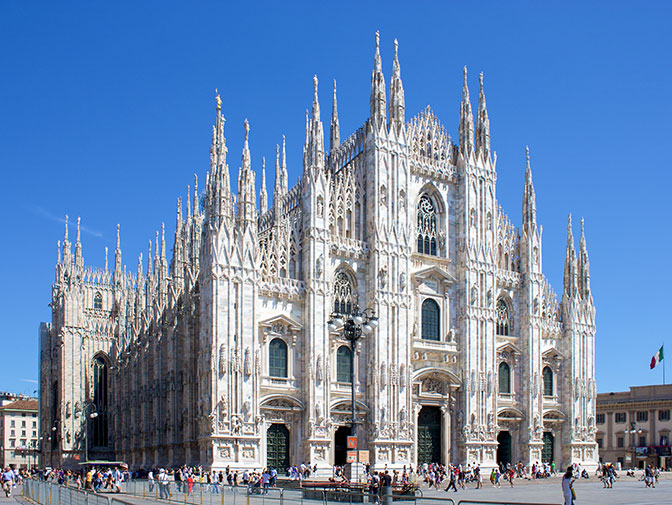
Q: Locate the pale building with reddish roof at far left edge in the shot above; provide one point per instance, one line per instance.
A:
(19, 431)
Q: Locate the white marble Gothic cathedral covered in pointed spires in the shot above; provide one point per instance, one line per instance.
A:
(223, 355)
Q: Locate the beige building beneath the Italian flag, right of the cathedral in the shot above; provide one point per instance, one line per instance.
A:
(635, 425)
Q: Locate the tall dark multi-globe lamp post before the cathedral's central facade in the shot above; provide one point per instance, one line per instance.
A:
(354, 325)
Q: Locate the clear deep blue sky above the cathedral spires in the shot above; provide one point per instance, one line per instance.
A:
(106, 110)
